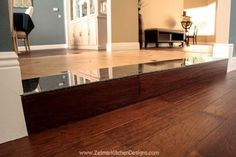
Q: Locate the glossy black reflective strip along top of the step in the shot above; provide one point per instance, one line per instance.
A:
(68, 79)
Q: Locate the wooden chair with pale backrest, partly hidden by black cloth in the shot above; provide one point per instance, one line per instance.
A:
(22, 35)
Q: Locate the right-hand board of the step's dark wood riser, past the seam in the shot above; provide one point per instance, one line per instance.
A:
(155, 84)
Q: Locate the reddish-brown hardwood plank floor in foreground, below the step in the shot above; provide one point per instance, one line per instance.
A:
(197, 120)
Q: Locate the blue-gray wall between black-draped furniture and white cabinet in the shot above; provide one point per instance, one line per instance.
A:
(49, 29)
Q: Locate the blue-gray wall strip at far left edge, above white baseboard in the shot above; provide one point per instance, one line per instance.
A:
(5, 36)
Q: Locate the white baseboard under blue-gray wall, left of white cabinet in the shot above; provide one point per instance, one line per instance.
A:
(44, 47)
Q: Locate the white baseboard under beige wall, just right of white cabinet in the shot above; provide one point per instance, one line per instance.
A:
(122, 46)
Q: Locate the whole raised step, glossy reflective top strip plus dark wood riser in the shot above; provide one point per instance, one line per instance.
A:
(61, 99)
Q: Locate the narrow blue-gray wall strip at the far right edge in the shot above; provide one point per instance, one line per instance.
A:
(232, 35)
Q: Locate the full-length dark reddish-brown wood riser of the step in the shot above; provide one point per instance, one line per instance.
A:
(52, 109)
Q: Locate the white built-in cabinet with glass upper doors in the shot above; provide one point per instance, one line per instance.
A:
(88, 24)
